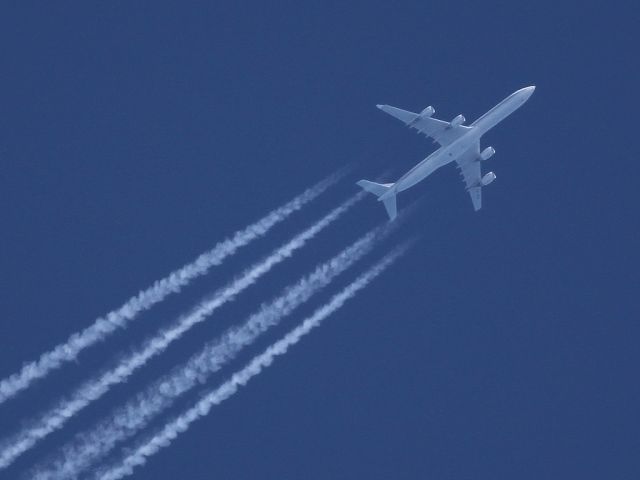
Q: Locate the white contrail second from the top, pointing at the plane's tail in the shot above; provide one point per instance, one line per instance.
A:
(93, 389)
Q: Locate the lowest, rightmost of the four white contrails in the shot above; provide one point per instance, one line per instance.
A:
(180, 424)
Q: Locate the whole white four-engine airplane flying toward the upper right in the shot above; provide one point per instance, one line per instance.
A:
(458, 143)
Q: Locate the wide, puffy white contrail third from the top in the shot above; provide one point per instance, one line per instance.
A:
(138, 412)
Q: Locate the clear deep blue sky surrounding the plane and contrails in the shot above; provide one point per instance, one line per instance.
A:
(504, 346)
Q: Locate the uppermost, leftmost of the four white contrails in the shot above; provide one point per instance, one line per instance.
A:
(145, 299)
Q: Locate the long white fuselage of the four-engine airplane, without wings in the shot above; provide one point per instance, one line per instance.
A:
(456, 149)
